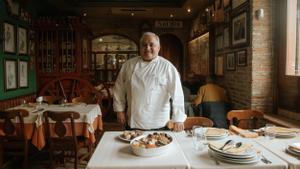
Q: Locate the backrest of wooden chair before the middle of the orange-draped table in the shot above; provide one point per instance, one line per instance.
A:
(56, 131)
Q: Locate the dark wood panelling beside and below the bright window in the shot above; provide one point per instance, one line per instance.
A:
(288, 86)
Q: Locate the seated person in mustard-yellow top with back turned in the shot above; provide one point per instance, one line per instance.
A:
(213, 102)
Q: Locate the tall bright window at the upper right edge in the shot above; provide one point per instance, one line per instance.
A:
(293, 38)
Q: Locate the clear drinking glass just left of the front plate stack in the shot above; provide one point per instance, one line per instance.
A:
(199, 137)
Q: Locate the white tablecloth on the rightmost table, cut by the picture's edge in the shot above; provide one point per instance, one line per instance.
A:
(278, 146)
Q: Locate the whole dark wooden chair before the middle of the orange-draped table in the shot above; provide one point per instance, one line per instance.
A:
(57, 137)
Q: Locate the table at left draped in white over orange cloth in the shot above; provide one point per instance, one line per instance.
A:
(90, 120)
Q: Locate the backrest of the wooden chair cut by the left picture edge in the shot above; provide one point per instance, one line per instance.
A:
(13, 129)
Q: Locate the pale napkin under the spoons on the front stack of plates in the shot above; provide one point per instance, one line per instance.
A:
(243, 149)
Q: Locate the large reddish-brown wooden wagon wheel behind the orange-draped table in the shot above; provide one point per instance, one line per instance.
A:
(70, 87)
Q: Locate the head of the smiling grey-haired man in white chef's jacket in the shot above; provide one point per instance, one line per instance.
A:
(149, 48)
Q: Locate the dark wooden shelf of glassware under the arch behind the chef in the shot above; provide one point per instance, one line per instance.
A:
(108, 64)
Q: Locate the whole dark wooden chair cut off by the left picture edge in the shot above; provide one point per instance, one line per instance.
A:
(13, 141)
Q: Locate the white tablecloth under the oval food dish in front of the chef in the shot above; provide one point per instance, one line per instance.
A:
(112, 153)
